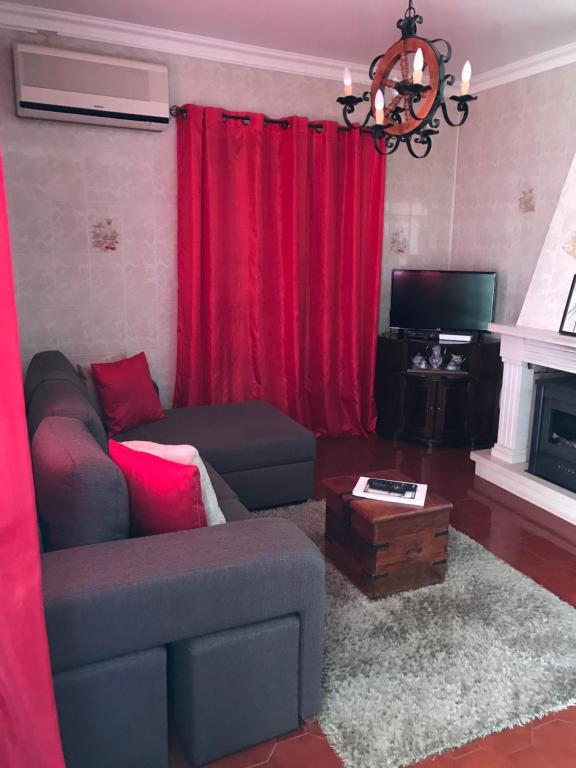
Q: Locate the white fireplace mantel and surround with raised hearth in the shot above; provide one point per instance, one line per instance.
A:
(505, 464)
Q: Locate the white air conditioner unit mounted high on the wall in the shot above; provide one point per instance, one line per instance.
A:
(57, 84)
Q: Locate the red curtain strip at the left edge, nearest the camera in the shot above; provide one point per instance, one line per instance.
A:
(28, 726)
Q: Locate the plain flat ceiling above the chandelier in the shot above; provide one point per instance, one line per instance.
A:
(491, 33)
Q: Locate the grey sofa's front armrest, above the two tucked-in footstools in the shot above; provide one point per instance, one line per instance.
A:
(119, 597)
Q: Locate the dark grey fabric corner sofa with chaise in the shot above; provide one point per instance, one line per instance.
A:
(221, 628)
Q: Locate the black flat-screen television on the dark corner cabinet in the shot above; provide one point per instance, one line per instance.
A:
(442, 300)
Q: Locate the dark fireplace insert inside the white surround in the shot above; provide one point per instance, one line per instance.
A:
(553, 449)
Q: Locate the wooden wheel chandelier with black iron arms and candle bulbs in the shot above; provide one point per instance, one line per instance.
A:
(408, 83)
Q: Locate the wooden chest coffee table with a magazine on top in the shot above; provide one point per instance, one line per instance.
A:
(384, 547)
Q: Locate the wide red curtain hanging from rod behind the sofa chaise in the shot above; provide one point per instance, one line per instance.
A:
(279, 250)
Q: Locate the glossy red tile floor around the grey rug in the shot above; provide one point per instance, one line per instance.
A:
(535, 542)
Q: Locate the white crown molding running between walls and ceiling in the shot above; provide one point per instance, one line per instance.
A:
(75, 25)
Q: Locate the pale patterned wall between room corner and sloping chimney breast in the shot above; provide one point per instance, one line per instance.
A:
(513, 157)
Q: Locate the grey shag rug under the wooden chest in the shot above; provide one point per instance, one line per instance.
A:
(435, 668)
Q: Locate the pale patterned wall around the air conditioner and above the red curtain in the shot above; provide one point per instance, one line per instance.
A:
(93, 209)
